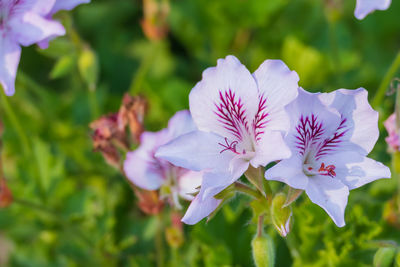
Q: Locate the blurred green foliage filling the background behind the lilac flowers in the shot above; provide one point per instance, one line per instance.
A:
(72, 209)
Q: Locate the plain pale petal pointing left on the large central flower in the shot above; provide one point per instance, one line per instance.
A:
(196, 151)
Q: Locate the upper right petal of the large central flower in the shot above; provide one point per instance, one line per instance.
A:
(279, 86)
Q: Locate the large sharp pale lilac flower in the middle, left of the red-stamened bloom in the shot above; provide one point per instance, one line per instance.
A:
(241, 119)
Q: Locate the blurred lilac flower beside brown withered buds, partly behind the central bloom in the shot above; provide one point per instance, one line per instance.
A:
(148, 172)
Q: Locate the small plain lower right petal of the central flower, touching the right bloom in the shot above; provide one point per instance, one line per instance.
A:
(271, 147)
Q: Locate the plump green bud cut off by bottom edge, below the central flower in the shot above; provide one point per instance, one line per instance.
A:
(263, 251)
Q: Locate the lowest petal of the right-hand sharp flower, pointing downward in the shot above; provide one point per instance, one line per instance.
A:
(331, 195)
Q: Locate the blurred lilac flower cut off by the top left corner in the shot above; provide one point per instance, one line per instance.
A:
(23, 23)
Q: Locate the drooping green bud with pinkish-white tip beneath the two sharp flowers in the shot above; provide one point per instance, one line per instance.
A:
(281, 214)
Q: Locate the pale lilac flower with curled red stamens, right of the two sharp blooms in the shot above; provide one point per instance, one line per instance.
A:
(330, 136)
